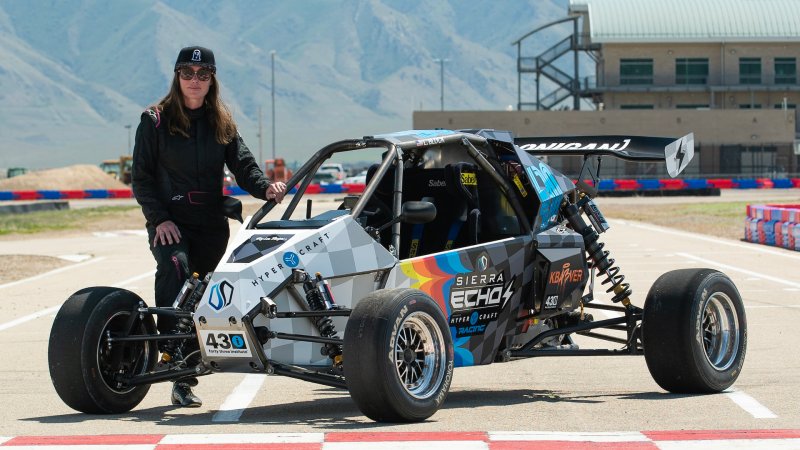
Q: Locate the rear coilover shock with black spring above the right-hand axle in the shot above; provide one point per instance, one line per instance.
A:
(594, 248)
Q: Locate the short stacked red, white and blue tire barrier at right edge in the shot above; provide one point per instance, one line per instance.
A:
(776, 225)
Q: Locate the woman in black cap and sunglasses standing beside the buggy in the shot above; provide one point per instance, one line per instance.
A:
(182, 146)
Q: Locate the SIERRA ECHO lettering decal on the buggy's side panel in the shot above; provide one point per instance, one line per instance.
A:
(477, 298)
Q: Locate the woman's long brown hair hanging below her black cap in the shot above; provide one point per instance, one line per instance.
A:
(218, 114)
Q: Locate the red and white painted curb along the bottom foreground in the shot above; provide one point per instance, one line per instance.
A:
(492, 440)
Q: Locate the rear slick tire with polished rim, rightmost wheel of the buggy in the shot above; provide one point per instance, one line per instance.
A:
(694, 331)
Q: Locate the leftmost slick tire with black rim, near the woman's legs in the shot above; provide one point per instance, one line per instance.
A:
(84, 367)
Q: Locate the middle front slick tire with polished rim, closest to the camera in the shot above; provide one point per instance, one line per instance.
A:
(398, 356)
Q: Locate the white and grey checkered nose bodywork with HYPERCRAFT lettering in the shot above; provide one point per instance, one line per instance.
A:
(339, 249)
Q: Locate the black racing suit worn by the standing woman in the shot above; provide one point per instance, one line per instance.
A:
(180, 179)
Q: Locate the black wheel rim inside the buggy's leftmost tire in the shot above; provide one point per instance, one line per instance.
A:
(121, 359)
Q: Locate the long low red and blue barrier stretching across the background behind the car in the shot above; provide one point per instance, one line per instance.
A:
(688, 186)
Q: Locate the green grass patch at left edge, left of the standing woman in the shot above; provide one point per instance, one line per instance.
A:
(64, 219)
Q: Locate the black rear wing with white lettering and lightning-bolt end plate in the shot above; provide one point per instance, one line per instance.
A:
(676, 153)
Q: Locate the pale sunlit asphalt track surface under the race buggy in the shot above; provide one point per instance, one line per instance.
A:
(564, 394)
